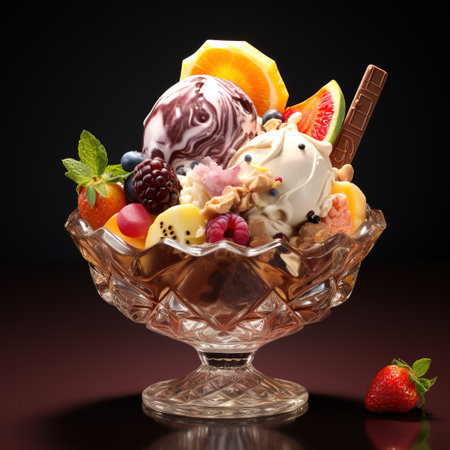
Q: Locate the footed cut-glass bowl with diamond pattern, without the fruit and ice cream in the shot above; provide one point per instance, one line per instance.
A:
(226, 301)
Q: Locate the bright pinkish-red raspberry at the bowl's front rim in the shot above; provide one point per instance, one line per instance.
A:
(229, 226)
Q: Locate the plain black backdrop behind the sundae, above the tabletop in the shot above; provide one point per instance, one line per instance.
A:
(75, 66)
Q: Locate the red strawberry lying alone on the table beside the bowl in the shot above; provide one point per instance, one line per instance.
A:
(397, 387)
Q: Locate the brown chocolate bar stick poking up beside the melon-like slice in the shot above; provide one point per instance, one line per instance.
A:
(358, 116)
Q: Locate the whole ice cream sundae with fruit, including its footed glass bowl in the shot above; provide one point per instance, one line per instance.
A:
(236, 223)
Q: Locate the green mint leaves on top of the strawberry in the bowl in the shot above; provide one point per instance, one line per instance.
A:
(92, 170)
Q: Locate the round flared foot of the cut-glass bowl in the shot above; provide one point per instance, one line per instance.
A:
(225, 393)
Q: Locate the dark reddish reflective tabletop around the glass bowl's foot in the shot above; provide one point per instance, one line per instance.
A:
(73, 368)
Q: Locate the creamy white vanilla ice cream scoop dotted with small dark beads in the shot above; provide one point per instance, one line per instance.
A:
(303, 166)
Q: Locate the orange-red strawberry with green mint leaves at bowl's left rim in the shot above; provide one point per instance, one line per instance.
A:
(94, 176)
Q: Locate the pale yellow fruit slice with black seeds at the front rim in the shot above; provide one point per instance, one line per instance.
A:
(182, 223)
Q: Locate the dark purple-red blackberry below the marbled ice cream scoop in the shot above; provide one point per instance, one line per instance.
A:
(156, 185)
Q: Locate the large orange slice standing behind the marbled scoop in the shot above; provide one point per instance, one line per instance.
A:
(255, 73)
